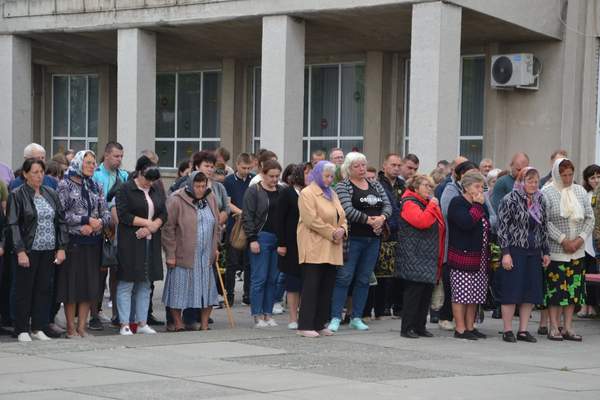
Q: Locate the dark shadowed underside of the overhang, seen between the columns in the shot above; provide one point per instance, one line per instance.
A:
(332, 32)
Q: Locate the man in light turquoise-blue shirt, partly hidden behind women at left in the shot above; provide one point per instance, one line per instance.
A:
(107, 175)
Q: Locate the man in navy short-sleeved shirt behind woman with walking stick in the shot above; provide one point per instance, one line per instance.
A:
(237, 260)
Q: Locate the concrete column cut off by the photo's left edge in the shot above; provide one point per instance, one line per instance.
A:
(16, 106)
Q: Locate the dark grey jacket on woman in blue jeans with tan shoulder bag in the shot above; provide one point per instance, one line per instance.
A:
(255, 210)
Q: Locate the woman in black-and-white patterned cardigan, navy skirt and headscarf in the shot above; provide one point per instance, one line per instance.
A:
(523, 239)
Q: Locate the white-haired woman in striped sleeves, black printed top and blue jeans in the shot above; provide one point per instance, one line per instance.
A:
(367, 207)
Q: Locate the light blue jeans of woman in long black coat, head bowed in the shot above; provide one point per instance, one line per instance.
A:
(140, 291)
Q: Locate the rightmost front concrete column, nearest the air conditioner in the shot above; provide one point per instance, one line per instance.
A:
(434, 82)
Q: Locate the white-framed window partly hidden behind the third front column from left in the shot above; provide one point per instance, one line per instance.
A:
(334, 100)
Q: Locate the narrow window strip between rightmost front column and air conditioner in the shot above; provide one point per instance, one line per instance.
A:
(472, 107)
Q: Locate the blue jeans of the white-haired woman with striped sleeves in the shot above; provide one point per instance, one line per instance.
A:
(362, 256)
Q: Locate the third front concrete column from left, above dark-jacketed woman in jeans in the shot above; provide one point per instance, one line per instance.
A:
(282, 90)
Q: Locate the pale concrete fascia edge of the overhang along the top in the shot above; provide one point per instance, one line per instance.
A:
(28, 16)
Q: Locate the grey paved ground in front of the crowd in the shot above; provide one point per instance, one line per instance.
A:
(245, 363)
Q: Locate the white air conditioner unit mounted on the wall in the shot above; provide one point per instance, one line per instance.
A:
(515, 71)
